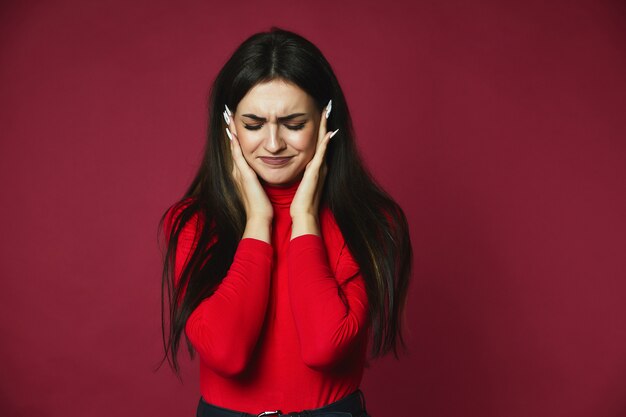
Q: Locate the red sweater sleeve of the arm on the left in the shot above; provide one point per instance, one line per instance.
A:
(224, 328)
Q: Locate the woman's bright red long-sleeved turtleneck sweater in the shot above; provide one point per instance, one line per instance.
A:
(287, 327)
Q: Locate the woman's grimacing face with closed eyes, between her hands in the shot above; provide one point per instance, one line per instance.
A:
(277, 125)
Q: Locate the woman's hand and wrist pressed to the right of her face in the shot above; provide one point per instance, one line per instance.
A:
(305, 205)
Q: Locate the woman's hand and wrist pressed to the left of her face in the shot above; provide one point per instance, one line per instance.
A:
(256, 202)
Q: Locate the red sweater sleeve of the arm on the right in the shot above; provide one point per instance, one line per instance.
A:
(330, 310)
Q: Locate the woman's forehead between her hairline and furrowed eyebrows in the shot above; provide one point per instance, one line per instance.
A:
(276, 97)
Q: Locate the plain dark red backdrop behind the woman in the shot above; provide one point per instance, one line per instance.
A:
(498, 126)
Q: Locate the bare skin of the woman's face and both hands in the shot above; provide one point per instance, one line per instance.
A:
(305, 146)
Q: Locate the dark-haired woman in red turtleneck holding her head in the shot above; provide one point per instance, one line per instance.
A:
(284, 257)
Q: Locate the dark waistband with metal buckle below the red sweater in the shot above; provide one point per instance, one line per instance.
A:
(353, 404)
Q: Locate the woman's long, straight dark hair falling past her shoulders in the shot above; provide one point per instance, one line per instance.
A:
(372, 223)
